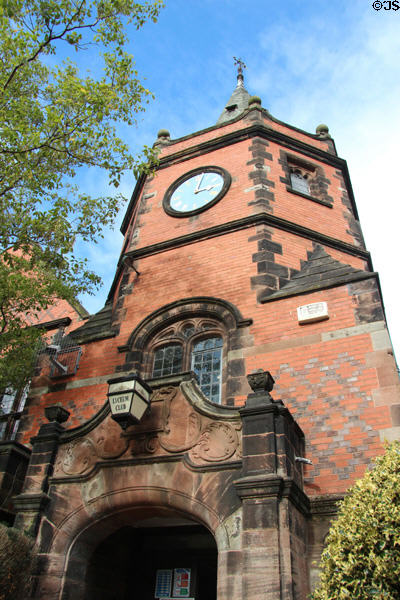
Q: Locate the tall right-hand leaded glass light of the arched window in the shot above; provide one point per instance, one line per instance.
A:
(207, 364)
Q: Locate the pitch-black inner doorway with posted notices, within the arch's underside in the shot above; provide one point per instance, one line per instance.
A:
(145, 563)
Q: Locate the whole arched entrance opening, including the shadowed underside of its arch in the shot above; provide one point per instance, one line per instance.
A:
(143, 554)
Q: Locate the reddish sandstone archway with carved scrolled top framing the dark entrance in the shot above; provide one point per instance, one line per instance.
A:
(94, 493)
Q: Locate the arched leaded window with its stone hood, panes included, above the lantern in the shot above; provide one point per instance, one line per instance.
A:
(185, 323)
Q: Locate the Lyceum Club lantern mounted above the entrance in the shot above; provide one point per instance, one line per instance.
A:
(129, 398)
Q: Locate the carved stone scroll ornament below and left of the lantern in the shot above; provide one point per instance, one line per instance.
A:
(79, 456)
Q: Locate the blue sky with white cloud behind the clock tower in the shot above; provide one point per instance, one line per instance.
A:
(313, 61)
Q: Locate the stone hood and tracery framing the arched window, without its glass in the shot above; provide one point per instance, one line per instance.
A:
(210, 317)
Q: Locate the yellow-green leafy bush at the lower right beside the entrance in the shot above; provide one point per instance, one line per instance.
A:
(362, 557)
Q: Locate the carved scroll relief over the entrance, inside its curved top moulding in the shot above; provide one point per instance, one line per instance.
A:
(177, 427)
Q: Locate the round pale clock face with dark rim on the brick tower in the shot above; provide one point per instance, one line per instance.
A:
(195, 191)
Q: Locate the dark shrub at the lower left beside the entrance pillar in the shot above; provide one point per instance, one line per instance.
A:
(17, 555)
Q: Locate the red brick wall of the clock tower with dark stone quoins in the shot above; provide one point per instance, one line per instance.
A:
(337, 376)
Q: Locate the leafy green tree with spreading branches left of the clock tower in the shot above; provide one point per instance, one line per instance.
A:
(54, 120)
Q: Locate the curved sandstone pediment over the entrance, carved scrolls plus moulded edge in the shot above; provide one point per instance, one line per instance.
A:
(182, 425)
